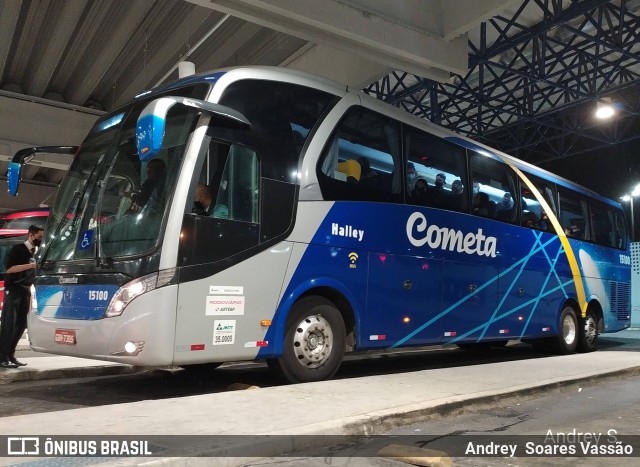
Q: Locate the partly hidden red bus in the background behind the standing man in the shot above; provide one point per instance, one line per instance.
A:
(14, 227)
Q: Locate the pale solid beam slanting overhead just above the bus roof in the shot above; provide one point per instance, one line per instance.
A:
(349, 27)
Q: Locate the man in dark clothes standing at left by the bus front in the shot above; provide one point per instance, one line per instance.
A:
(17, 295)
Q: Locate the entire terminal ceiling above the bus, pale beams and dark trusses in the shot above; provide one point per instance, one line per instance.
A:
(522, 76)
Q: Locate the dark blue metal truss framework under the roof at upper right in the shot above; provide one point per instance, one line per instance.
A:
(531, 89)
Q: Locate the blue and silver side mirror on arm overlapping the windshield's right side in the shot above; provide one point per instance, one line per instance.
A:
(150, 128)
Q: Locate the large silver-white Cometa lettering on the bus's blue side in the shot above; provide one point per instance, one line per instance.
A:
(445, 238)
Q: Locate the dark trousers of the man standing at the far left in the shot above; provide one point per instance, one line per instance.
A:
(13, 321)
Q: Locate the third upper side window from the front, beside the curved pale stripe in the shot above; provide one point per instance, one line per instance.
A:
(493, 189)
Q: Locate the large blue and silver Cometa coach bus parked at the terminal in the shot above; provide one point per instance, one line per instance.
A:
(265, 214)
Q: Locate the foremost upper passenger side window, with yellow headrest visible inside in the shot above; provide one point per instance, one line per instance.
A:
(362, 160)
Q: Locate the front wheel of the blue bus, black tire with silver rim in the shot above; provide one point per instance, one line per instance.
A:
(314, 342)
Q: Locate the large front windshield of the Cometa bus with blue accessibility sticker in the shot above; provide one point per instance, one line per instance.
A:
(110, 203)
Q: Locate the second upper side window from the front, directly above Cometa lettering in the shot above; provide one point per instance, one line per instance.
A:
(435, 172)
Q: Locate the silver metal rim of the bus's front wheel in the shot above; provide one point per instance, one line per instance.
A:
(312, 341)
